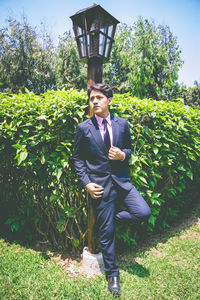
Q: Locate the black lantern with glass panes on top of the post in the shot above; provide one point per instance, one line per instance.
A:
(94, 30)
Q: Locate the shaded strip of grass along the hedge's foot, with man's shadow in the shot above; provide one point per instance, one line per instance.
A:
(127, 262)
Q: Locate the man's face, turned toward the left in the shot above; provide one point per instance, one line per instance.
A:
(99, 103)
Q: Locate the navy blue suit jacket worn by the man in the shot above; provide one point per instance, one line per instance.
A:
(91, 156)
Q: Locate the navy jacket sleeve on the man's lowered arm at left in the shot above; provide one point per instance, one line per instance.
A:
(79, 157)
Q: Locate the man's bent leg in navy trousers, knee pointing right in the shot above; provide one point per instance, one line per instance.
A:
(137, 207)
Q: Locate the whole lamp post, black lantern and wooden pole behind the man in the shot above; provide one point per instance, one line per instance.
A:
(94, 30)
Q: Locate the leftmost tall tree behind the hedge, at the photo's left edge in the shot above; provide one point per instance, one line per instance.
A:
(24, 61)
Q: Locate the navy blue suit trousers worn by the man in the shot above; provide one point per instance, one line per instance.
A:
(105, 210)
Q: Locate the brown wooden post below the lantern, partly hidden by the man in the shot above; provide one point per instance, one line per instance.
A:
(95, 72)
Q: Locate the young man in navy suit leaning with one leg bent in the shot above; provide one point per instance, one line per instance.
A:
(101, 154)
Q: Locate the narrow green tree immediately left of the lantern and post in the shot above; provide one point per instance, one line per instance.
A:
(69, 72)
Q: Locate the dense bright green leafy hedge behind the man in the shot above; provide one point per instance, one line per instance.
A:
(40, 195)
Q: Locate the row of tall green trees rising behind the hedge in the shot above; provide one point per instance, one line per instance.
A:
(145, 61)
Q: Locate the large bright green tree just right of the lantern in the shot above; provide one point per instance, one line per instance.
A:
(149, 59)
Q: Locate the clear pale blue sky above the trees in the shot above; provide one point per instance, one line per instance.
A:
(182, 16)
